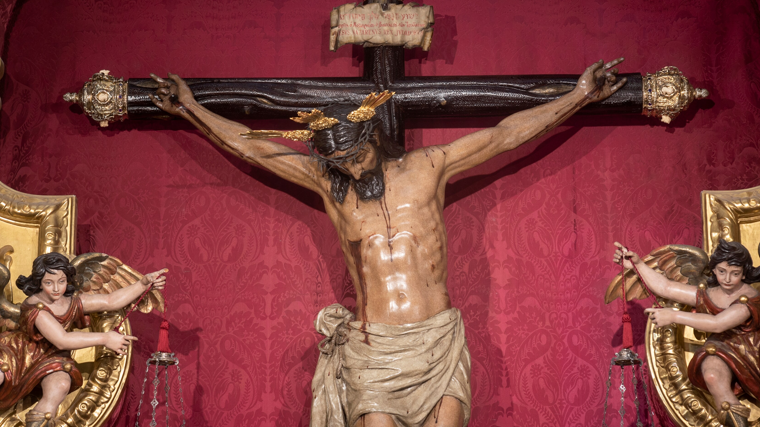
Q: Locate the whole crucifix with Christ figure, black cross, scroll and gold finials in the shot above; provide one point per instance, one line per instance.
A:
(401, 358)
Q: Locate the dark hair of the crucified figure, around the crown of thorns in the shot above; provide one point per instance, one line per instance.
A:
(346, 135)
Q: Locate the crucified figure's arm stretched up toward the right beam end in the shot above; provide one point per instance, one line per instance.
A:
(597, 83)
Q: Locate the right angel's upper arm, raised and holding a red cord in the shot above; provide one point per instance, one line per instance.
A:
(657, 283)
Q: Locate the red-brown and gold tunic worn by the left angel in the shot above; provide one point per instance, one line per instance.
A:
(30, 357)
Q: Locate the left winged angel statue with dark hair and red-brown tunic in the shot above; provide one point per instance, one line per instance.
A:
(59, 296)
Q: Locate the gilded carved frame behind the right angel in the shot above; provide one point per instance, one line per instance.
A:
(730, 215)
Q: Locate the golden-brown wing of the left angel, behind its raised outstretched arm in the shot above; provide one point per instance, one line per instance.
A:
(99, 273)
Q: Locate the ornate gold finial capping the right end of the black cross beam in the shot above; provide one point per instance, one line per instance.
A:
(668, 92)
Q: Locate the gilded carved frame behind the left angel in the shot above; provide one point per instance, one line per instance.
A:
(31, 225)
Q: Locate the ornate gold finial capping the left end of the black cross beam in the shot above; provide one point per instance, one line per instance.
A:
(103, 97)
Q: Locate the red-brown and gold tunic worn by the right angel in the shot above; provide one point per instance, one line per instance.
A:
(739, 347)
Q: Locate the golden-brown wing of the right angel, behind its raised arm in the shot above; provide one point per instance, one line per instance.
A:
(680, 263)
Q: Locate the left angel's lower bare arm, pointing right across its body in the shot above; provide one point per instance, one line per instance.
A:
(54, 332)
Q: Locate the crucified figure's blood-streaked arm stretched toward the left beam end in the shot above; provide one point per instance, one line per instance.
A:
(175, 97)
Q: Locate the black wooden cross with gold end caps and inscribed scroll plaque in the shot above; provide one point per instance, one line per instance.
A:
(663, 94)
